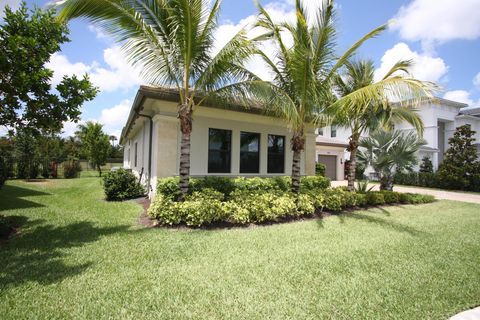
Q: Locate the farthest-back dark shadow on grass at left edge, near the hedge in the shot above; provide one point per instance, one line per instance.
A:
(11, 198)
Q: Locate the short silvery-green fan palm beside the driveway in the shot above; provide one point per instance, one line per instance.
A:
(389, 152)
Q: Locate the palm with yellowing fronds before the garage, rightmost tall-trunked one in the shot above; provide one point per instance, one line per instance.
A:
(376, 112)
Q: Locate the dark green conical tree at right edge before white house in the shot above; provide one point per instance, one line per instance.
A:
(460, 168)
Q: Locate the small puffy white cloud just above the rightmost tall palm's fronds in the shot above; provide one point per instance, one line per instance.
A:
(426, 67)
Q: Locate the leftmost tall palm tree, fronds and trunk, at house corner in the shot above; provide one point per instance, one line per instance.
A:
(171, 41)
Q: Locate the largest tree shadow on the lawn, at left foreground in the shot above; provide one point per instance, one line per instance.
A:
(36, 254)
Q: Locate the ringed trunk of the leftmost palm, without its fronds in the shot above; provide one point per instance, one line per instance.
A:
(185, 116)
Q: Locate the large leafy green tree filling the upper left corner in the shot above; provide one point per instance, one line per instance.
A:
(26, 97)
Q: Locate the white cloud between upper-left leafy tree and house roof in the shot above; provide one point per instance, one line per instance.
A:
(119, 75)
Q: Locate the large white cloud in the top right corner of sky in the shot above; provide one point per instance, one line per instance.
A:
(438, 21)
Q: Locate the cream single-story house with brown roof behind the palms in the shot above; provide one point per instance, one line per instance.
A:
(228, 140)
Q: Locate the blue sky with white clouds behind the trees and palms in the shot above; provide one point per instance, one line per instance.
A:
(441, 36)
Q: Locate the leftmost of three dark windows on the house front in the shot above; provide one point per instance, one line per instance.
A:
(219, 150)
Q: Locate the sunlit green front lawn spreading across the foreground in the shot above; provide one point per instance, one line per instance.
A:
(77, 256)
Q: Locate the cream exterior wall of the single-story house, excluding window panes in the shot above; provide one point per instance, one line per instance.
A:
(167, 136)
